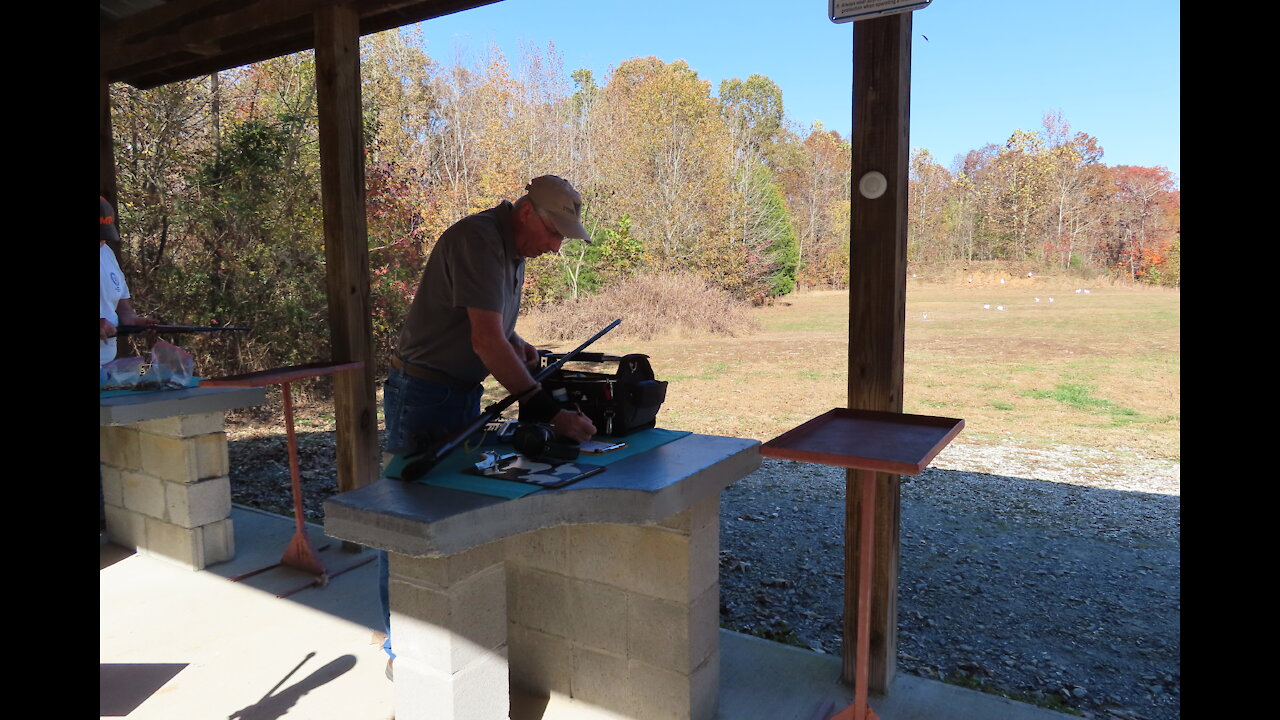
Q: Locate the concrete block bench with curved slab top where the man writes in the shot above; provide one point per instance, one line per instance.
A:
(606, 591)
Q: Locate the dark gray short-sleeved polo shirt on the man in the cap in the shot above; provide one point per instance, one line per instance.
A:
(474, 265)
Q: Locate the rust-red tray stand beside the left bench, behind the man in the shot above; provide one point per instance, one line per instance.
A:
(300, 554)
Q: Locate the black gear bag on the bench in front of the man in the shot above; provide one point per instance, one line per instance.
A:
(618, 404)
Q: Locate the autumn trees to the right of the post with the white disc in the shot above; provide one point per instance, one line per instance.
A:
(1048, 198)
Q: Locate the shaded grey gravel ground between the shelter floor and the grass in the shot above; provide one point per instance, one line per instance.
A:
(1041, 575)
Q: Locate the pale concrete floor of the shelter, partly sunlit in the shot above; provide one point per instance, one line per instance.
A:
(195, 645)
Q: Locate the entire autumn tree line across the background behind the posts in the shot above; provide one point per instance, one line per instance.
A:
(220, 188)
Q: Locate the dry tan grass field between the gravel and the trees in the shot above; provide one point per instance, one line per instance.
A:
(1096, 370)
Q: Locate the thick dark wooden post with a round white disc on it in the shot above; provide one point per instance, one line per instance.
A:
(877, 315)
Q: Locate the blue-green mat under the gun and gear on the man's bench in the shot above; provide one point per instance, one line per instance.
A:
(450, 472)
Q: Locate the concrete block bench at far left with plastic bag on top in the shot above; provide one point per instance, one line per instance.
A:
(166, 485)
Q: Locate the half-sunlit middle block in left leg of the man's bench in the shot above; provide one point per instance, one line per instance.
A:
(449, 630)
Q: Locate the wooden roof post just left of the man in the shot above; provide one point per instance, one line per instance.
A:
(342, 176)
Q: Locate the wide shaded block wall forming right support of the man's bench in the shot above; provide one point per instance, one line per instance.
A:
(624, 618)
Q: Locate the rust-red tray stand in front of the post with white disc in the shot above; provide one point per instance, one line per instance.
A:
(870, 443)
